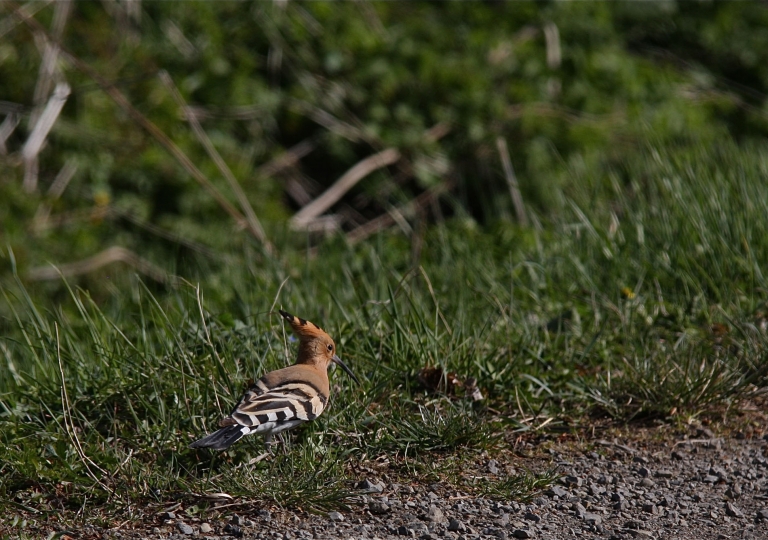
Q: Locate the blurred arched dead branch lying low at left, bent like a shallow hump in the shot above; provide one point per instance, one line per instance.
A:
(108, 256)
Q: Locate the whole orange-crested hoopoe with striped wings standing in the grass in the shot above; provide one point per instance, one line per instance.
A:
(285, 398)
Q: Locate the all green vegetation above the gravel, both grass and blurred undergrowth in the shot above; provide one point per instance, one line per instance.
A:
(636, 290)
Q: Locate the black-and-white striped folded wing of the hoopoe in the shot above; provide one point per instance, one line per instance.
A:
(268, 410)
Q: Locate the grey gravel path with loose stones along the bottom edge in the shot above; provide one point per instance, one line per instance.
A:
(695, 488)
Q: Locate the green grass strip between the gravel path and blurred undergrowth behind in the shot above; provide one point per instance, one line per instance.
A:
(644, 295)
